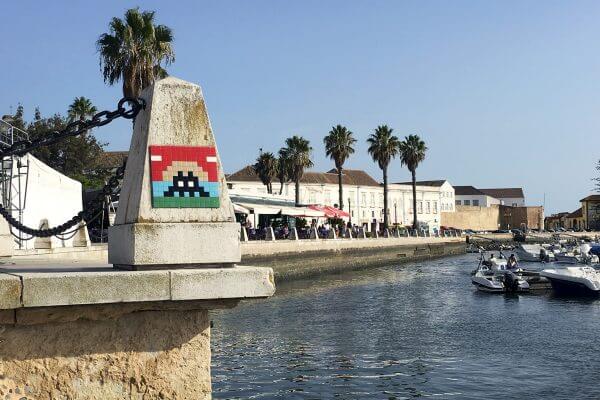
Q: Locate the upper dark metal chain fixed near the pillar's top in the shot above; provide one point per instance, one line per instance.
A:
(76, 128)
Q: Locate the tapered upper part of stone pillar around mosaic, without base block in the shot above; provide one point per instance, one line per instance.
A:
(175, 114)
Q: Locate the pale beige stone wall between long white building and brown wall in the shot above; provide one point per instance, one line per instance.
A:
(472, 217)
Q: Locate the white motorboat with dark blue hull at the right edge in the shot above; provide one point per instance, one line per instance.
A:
(581, 280)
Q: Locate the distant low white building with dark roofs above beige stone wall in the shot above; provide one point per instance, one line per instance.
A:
(471, 196)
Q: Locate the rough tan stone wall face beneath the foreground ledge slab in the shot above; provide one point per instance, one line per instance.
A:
(142, 355)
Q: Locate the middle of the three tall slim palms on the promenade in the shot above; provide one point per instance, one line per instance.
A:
(383, 146)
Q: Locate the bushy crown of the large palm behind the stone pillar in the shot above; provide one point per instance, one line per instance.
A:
(134, 51)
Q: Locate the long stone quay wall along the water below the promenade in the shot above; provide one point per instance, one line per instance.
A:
(297, 259)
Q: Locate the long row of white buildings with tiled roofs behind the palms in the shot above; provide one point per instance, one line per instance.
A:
(363, 195)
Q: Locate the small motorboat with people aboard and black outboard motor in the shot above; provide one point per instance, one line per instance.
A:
(493, 276)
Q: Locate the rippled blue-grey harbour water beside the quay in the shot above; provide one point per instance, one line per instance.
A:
(416, 330)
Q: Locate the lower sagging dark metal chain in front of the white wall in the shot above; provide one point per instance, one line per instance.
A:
(84, 215)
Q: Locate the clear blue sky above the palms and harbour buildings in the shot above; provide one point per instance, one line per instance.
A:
(505, 93)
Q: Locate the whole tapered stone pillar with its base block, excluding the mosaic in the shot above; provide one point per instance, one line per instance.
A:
(175, 115)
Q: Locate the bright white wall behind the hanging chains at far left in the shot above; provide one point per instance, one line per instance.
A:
(50, 195)
